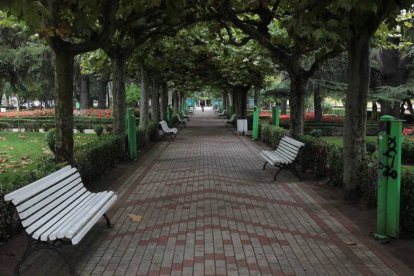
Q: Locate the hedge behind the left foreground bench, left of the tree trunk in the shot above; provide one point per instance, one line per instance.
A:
(9, 221)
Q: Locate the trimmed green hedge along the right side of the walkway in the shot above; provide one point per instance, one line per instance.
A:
(325, 160)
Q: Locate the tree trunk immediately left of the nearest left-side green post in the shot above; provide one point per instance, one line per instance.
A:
(119, 104)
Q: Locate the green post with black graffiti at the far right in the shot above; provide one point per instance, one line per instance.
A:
(389, 178)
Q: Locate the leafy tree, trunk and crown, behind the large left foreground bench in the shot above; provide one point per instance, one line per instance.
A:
(70, 28)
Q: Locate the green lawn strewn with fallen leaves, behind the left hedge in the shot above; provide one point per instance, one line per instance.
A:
(20, 150)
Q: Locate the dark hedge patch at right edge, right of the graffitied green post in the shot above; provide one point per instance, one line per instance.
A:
(407, 202)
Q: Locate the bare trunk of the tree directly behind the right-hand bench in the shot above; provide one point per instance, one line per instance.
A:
(297, 104)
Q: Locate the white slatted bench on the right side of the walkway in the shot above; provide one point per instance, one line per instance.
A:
(285, 156)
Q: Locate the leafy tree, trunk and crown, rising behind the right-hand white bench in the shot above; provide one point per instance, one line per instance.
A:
(287, 30)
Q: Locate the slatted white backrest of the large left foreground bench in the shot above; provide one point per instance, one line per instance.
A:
(38, 203)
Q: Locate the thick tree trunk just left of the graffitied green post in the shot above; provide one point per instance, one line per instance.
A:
(356, 114)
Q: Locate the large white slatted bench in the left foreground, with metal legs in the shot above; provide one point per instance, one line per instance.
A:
(57, 210)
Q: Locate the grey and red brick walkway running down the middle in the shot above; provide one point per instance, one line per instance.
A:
(209, 209)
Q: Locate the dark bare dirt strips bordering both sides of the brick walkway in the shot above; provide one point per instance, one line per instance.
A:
(362, 216)
